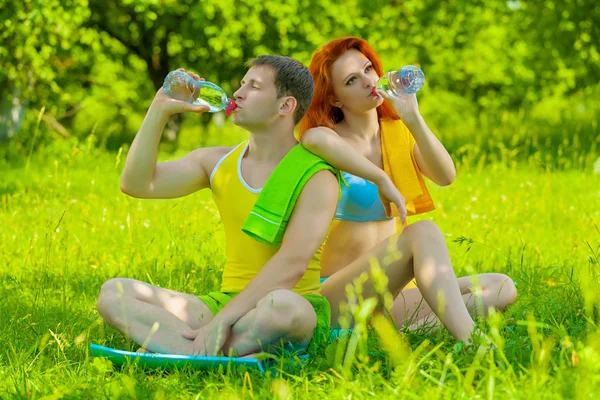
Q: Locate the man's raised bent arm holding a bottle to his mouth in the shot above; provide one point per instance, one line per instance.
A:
(143, 177)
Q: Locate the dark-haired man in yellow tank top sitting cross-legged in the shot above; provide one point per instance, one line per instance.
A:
(269, 295)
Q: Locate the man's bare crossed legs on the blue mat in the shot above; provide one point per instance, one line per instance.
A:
(134, 307)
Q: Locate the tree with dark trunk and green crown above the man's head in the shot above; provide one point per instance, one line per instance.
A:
(215, 39)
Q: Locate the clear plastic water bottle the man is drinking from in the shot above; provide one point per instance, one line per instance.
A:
(180, 86)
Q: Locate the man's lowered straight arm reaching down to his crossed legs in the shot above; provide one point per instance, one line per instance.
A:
(306, 230)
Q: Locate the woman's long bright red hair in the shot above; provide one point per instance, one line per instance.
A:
(321, 112)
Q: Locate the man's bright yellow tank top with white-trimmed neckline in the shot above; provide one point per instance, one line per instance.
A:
(244, 256)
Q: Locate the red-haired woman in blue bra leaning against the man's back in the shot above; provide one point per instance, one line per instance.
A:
(344, 126)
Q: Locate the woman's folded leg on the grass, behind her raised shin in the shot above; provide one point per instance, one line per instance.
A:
(497, 291)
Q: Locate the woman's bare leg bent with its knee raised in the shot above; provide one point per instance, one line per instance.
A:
(423, 254)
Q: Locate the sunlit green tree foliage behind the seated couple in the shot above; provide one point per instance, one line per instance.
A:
(517, 76)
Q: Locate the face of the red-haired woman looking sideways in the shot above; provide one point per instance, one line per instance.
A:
(353, 79)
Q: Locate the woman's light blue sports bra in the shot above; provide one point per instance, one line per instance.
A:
(360, 201)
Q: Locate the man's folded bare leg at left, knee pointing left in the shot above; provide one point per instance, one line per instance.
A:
(134, 307)
